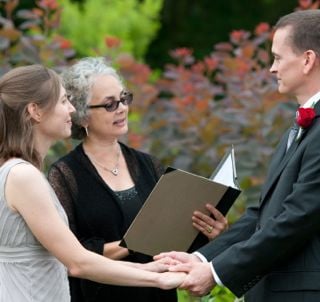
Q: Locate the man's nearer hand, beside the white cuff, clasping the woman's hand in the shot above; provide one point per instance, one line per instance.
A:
(199, 280)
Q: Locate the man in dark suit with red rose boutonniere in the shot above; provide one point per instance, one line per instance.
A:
(272, 254)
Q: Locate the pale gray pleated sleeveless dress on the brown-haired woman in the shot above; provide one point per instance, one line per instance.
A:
(28, 272)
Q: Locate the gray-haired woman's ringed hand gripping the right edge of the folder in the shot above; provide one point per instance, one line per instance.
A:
(210, 226)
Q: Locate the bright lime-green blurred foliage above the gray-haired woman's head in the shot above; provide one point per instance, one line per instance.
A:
(134, 22)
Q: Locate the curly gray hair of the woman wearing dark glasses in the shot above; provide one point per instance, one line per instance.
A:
(78, 80)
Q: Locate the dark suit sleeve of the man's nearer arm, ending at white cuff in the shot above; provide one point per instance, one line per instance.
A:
(242, 264)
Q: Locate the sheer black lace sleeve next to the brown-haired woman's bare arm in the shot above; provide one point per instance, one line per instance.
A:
(62, 181)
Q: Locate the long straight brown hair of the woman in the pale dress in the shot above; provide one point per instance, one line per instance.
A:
(19, 87)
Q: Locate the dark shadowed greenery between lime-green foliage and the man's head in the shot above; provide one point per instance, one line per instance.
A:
(201, 24)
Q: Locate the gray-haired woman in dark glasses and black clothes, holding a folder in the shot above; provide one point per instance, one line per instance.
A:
(103, 183)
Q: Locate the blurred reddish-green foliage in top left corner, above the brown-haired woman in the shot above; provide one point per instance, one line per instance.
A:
(29, 36)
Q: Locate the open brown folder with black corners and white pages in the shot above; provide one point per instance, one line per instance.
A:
(164, 222)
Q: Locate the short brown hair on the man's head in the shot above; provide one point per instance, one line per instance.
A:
(305, 30)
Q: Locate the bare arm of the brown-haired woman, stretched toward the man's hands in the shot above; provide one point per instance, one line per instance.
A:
(28, 193)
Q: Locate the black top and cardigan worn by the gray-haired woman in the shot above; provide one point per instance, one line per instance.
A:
(98, 215)
